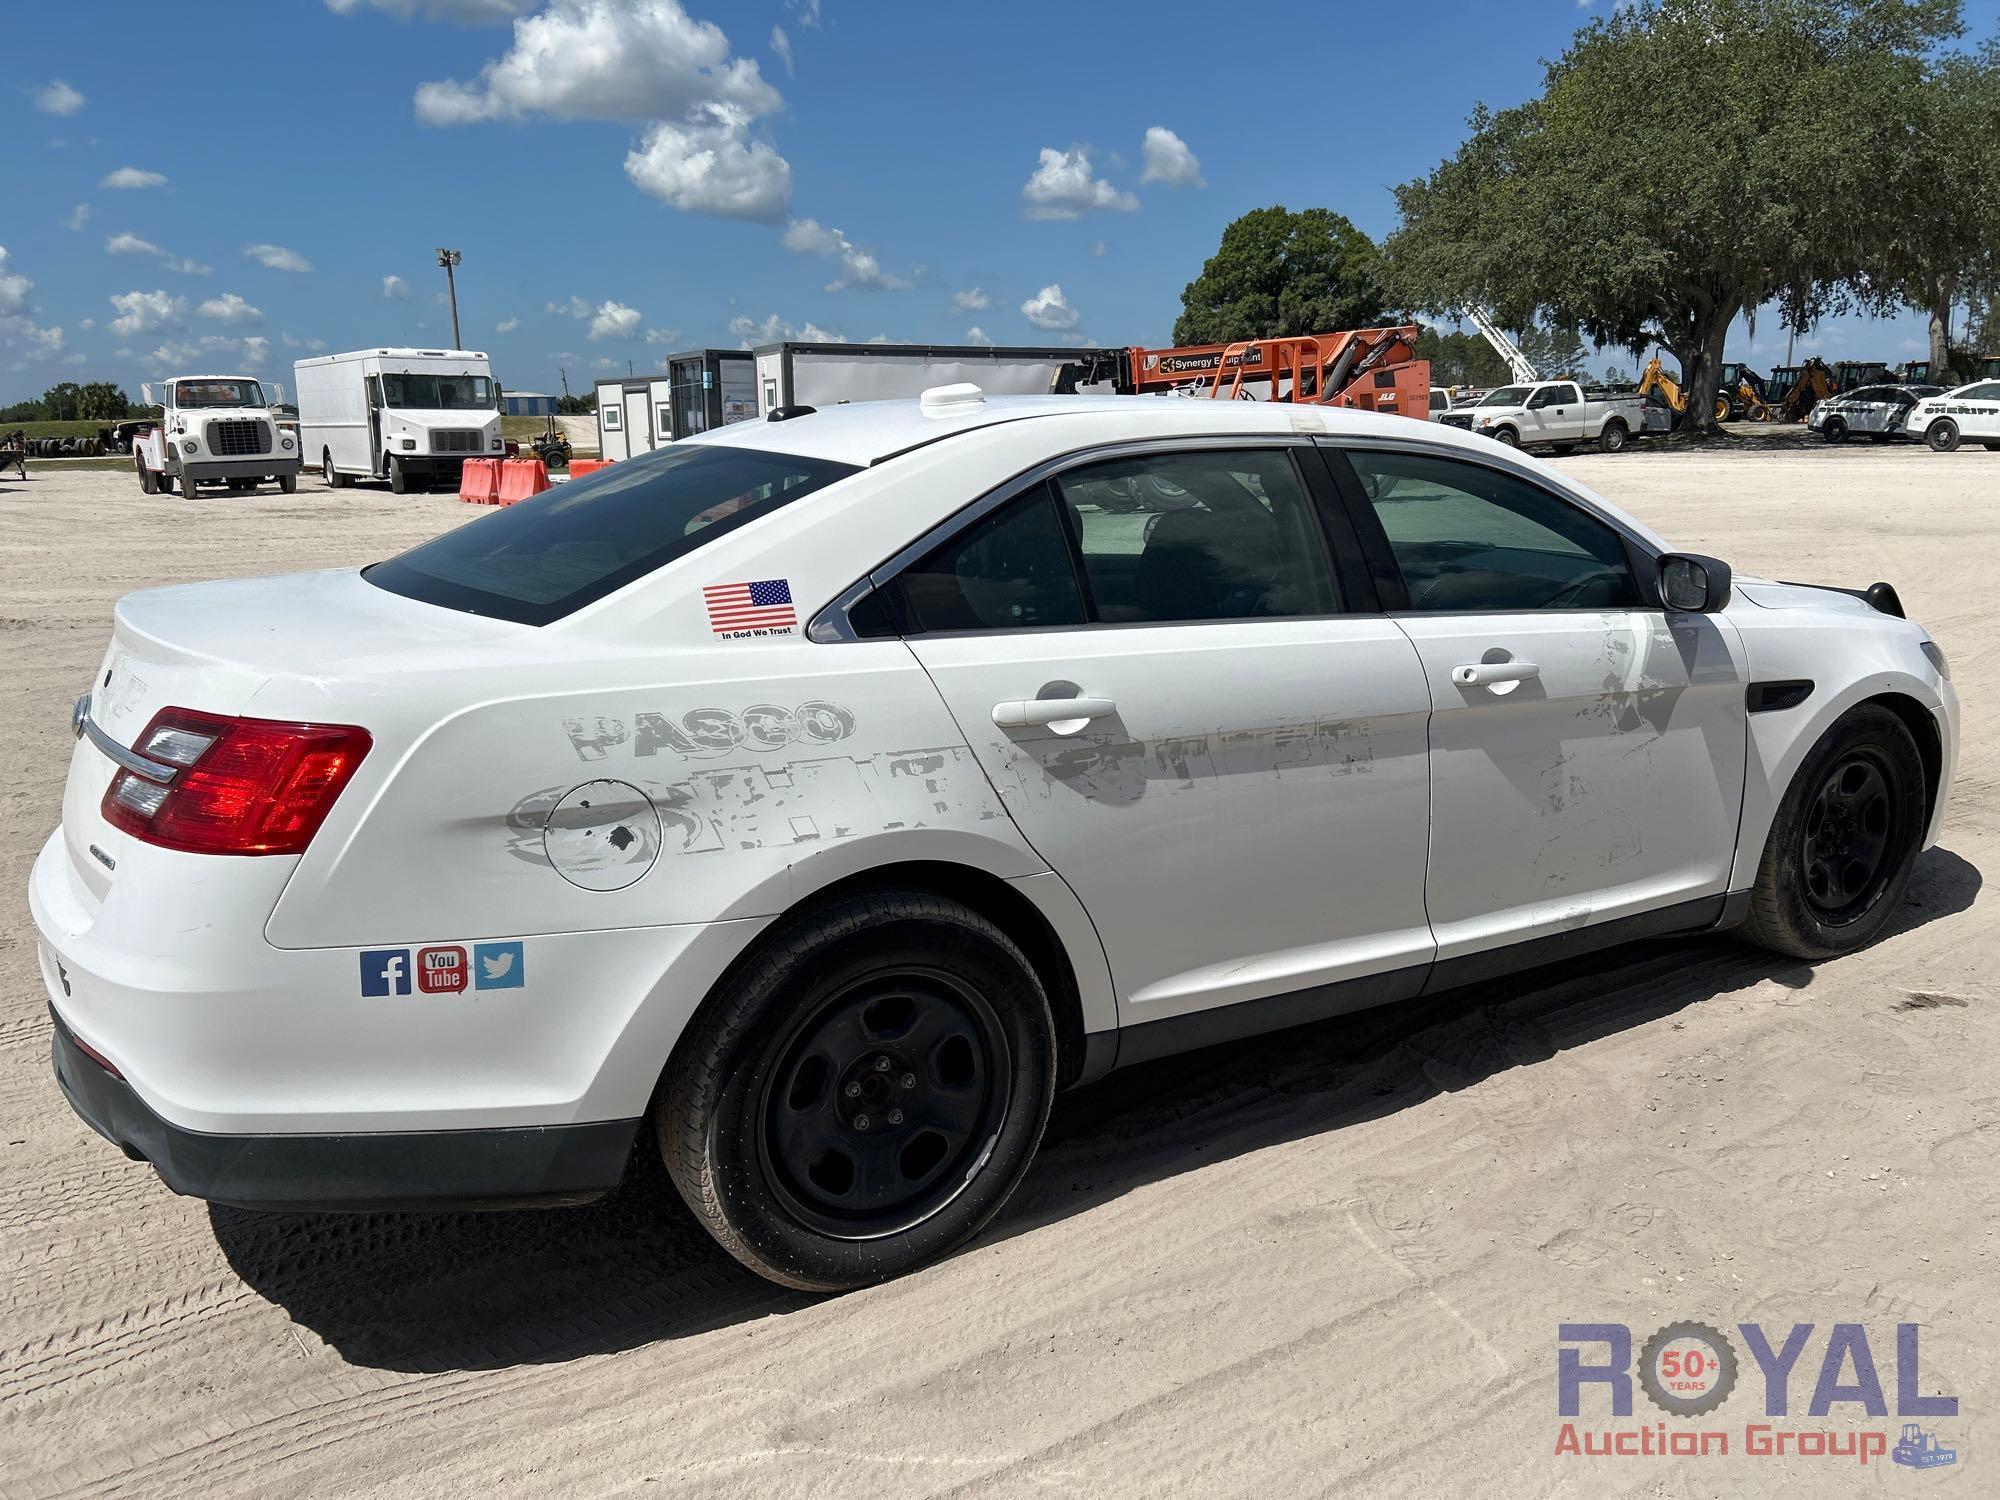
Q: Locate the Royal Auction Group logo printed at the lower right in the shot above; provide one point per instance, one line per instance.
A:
(1689, 1371)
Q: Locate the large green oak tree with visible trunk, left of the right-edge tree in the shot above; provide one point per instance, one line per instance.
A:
(1687, 161)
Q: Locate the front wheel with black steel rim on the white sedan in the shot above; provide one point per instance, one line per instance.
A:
(1845, 841)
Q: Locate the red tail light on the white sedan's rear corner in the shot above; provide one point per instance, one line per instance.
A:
(239, 785)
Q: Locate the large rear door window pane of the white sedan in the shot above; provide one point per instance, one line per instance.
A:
(1207, 535)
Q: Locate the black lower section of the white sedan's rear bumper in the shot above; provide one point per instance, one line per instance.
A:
(519, 1167)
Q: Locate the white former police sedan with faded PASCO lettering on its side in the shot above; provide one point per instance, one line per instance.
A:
(813, 799)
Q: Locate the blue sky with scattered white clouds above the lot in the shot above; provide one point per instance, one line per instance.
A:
(633, 177)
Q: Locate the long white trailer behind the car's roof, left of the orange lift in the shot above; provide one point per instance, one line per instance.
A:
(827, 375)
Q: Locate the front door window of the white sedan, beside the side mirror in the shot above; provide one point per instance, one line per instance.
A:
(1467, 537)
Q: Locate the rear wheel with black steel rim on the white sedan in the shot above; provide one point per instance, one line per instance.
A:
(865, 1091)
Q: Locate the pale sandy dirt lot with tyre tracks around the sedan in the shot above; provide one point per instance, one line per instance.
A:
(1331, 1261)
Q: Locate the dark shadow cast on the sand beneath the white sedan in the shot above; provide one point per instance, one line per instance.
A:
(431, 1293)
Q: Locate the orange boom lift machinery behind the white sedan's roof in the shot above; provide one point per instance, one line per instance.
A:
(1369, 369)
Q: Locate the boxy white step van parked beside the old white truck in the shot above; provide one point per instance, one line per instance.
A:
(401, 415)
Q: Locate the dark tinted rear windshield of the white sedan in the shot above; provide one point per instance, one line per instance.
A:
(547, 557)
